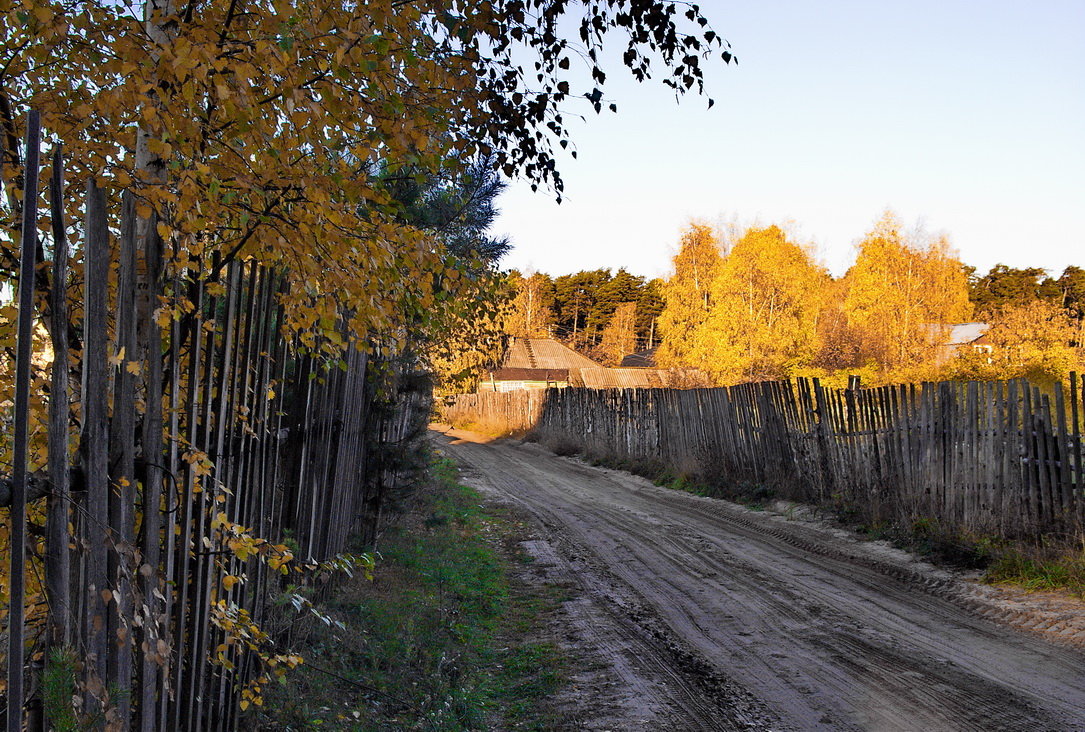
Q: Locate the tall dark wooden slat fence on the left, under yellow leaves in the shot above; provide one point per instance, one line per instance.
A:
(200, 464)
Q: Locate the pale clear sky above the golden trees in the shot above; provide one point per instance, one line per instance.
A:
(965, 119)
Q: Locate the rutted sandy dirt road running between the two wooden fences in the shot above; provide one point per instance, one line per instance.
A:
(751, 622)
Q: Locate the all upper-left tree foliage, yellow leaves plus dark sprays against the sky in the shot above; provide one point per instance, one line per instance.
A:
(278, 131)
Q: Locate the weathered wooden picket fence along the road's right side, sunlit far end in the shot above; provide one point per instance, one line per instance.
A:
(994, 457)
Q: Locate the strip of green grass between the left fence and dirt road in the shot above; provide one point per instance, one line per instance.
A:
(444, 638)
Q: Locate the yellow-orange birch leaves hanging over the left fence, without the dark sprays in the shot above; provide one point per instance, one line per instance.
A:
(270, 131)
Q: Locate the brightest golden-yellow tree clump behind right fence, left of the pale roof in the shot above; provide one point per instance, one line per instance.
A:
(765, 309)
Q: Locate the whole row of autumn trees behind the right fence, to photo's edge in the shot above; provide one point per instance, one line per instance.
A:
(762, 309)
